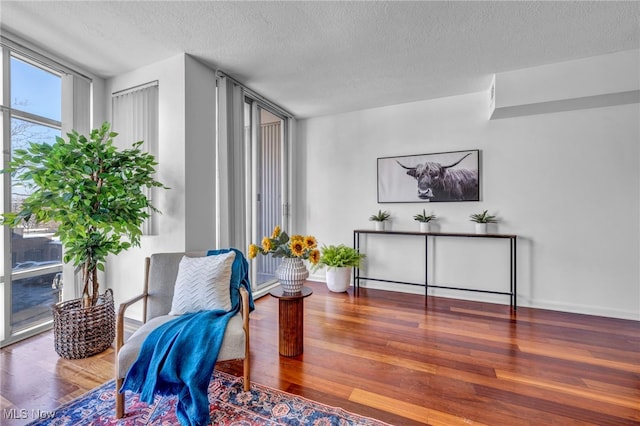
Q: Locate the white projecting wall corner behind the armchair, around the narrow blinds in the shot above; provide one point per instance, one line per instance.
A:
(185, 164)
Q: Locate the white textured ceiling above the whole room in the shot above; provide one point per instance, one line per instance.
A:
(316, 58)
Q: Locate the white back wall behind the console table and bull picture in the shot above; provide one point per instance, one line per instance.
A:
(567, 183)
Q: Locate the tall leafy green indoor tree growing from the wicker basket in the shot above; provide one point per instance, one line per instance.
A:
(93, 190)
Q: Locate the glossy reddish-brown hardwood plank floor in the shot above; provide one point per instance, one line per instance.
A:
(386, 355)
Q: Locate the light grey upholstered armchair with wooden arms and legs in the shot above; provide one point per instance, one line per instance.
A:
(161, 272)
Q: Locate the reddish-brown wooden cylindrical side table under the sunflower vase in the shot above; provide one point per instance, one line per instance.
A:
(291, 320)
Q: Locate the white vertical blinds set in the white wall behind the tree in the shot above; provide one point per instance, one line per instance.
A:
(135, 118)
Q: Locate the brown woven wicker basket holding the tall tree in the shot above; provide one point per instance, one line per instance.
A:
(82, 332)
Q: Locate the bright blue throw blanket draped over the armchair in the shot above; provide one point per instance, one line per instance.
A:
(178, 357)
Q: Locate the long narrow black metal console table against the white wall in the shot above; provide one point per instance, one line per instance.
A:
(512, 258)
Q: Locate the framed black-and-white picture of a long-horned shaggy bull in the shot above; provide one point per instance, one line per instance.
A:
(444, 176)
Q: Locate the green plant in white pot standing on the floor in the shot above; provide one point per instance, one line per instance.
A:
(339, 260)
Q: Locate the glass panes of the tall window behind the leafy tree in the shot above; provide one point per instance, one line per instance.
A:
(35, 110)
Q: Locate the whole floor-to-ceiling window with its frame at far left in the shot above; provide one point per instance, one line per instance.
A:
(33, 91)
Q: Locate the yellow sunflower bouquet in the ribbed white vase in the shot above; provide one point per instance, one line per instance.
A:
(279, 244)
